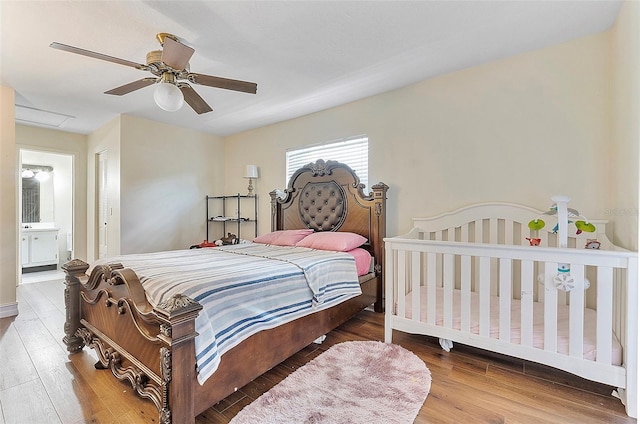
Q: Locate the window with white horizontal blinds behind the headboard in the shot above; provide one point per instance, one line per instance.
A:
(353, 152)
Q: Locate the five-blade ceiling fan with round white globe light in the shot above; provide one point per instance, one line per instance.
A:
(170, 67)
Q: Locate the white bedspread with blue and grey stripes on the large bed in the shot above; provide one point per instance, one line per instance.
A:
(244, 289)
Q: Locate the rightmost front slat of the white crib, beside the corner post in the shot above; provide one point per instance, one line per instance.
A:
(604, 321)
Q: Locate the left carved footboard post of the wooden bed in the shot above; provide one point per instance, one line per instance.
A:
(73, 269)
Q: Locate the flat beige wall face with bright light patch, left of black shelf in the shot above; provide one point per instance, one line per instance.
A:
(166, 172)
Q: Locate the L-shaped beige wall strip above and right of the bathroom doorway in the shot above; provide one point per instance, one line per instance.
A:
(54, 141)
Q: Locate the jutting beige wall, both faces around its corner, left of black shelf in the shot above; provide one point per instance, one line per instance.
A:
(157, 178)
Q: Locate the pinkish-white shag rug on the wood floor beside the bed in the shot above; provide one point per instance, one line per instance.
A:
(352, 382)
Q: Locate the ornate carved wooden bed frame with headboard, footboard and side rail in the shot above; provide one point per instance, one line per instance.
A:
(153, 347)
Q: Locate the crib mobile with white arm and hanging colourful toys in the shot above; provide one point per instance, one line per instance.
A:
(563, 279)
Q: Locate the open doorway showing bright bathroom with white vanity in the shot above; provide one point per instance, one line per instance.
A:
(46, 214)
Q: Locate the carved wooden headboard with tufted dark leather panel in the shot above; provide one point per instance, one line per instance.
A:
(328, 196)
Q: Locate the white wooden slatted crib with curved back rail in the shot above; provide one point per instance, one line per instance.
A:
(470, 276)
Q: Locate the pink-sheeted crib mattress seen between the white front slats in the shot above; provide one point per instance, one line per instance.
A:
(589, 341)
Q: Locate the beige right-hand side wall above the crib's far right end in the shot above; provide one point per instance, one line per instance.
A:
(623, 204)
